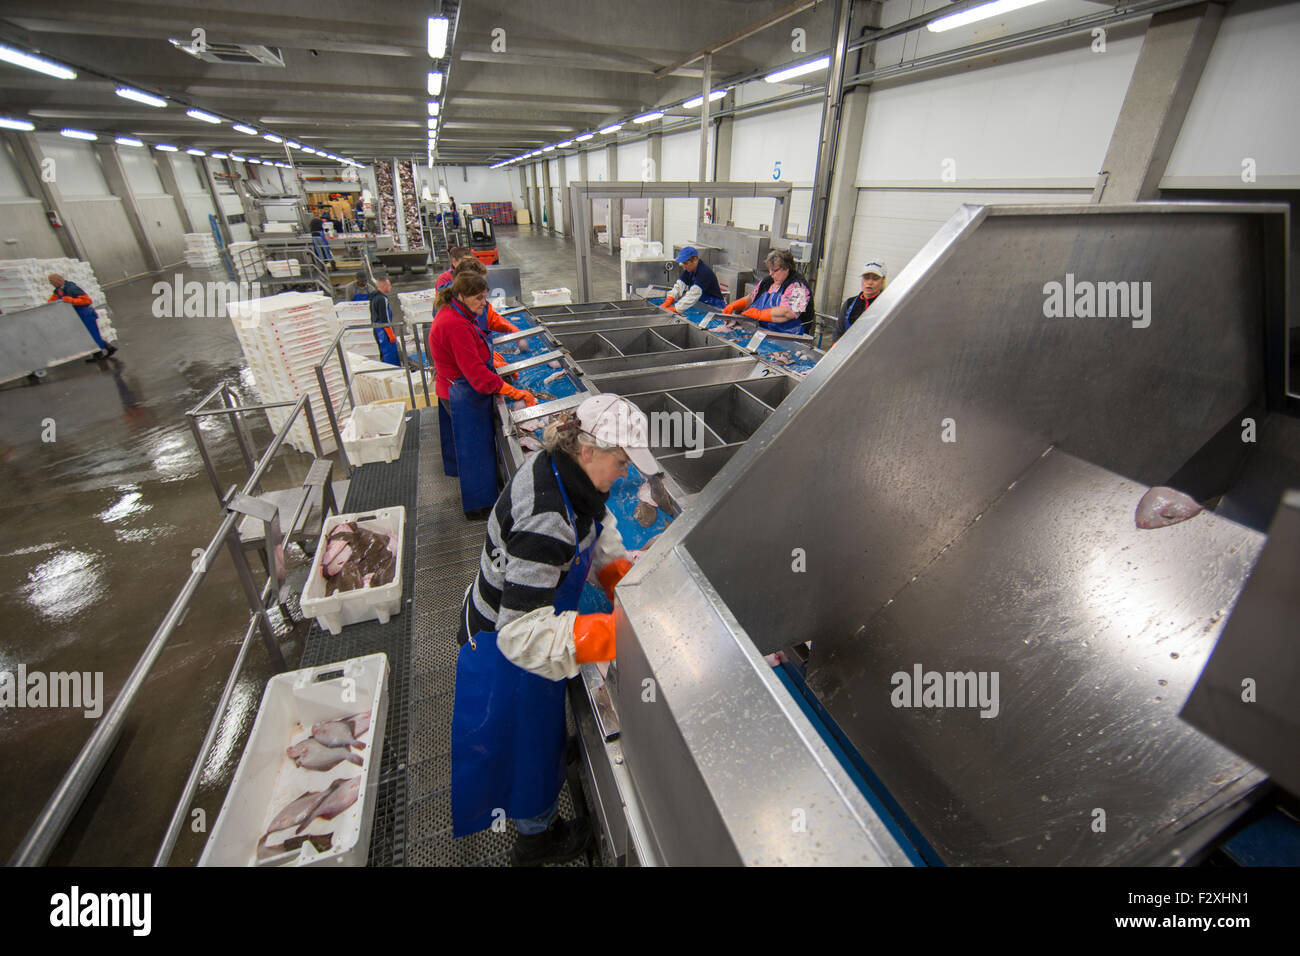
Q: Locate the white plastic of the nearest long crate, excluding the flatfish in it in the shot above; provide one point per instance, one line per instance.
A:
(267, 780)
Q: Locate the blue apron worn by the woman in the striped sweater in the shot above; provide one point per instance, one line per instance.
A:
(508, 725)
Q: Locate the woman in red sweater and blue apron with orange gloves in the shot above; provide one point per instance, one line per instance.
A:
(466, 384)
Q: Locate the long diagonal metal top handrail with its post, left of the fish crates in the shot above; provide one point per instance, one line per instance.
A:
(77, 782)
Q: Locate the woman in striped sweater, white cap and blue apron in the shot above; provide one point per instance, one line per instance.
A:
(521, 631)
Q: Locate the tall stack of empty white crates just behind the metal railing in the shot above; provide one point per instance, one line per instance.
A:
(284, 338)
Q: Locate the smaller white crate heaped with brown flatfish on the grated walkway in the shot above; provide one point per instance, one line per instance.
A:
(352, 581)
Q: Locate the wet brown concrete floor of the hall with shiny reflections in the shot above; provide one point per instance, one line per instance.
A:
(97, 534)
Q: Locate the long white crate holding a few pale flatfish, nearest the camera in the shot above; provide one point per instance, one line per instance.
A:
(305, 793)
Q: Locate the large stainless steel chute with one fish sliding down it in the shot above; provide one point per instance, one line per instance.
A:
(955, 487)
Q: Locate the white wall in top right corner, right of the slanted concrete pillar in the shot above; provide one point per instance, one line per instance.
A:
(1245, 106)
